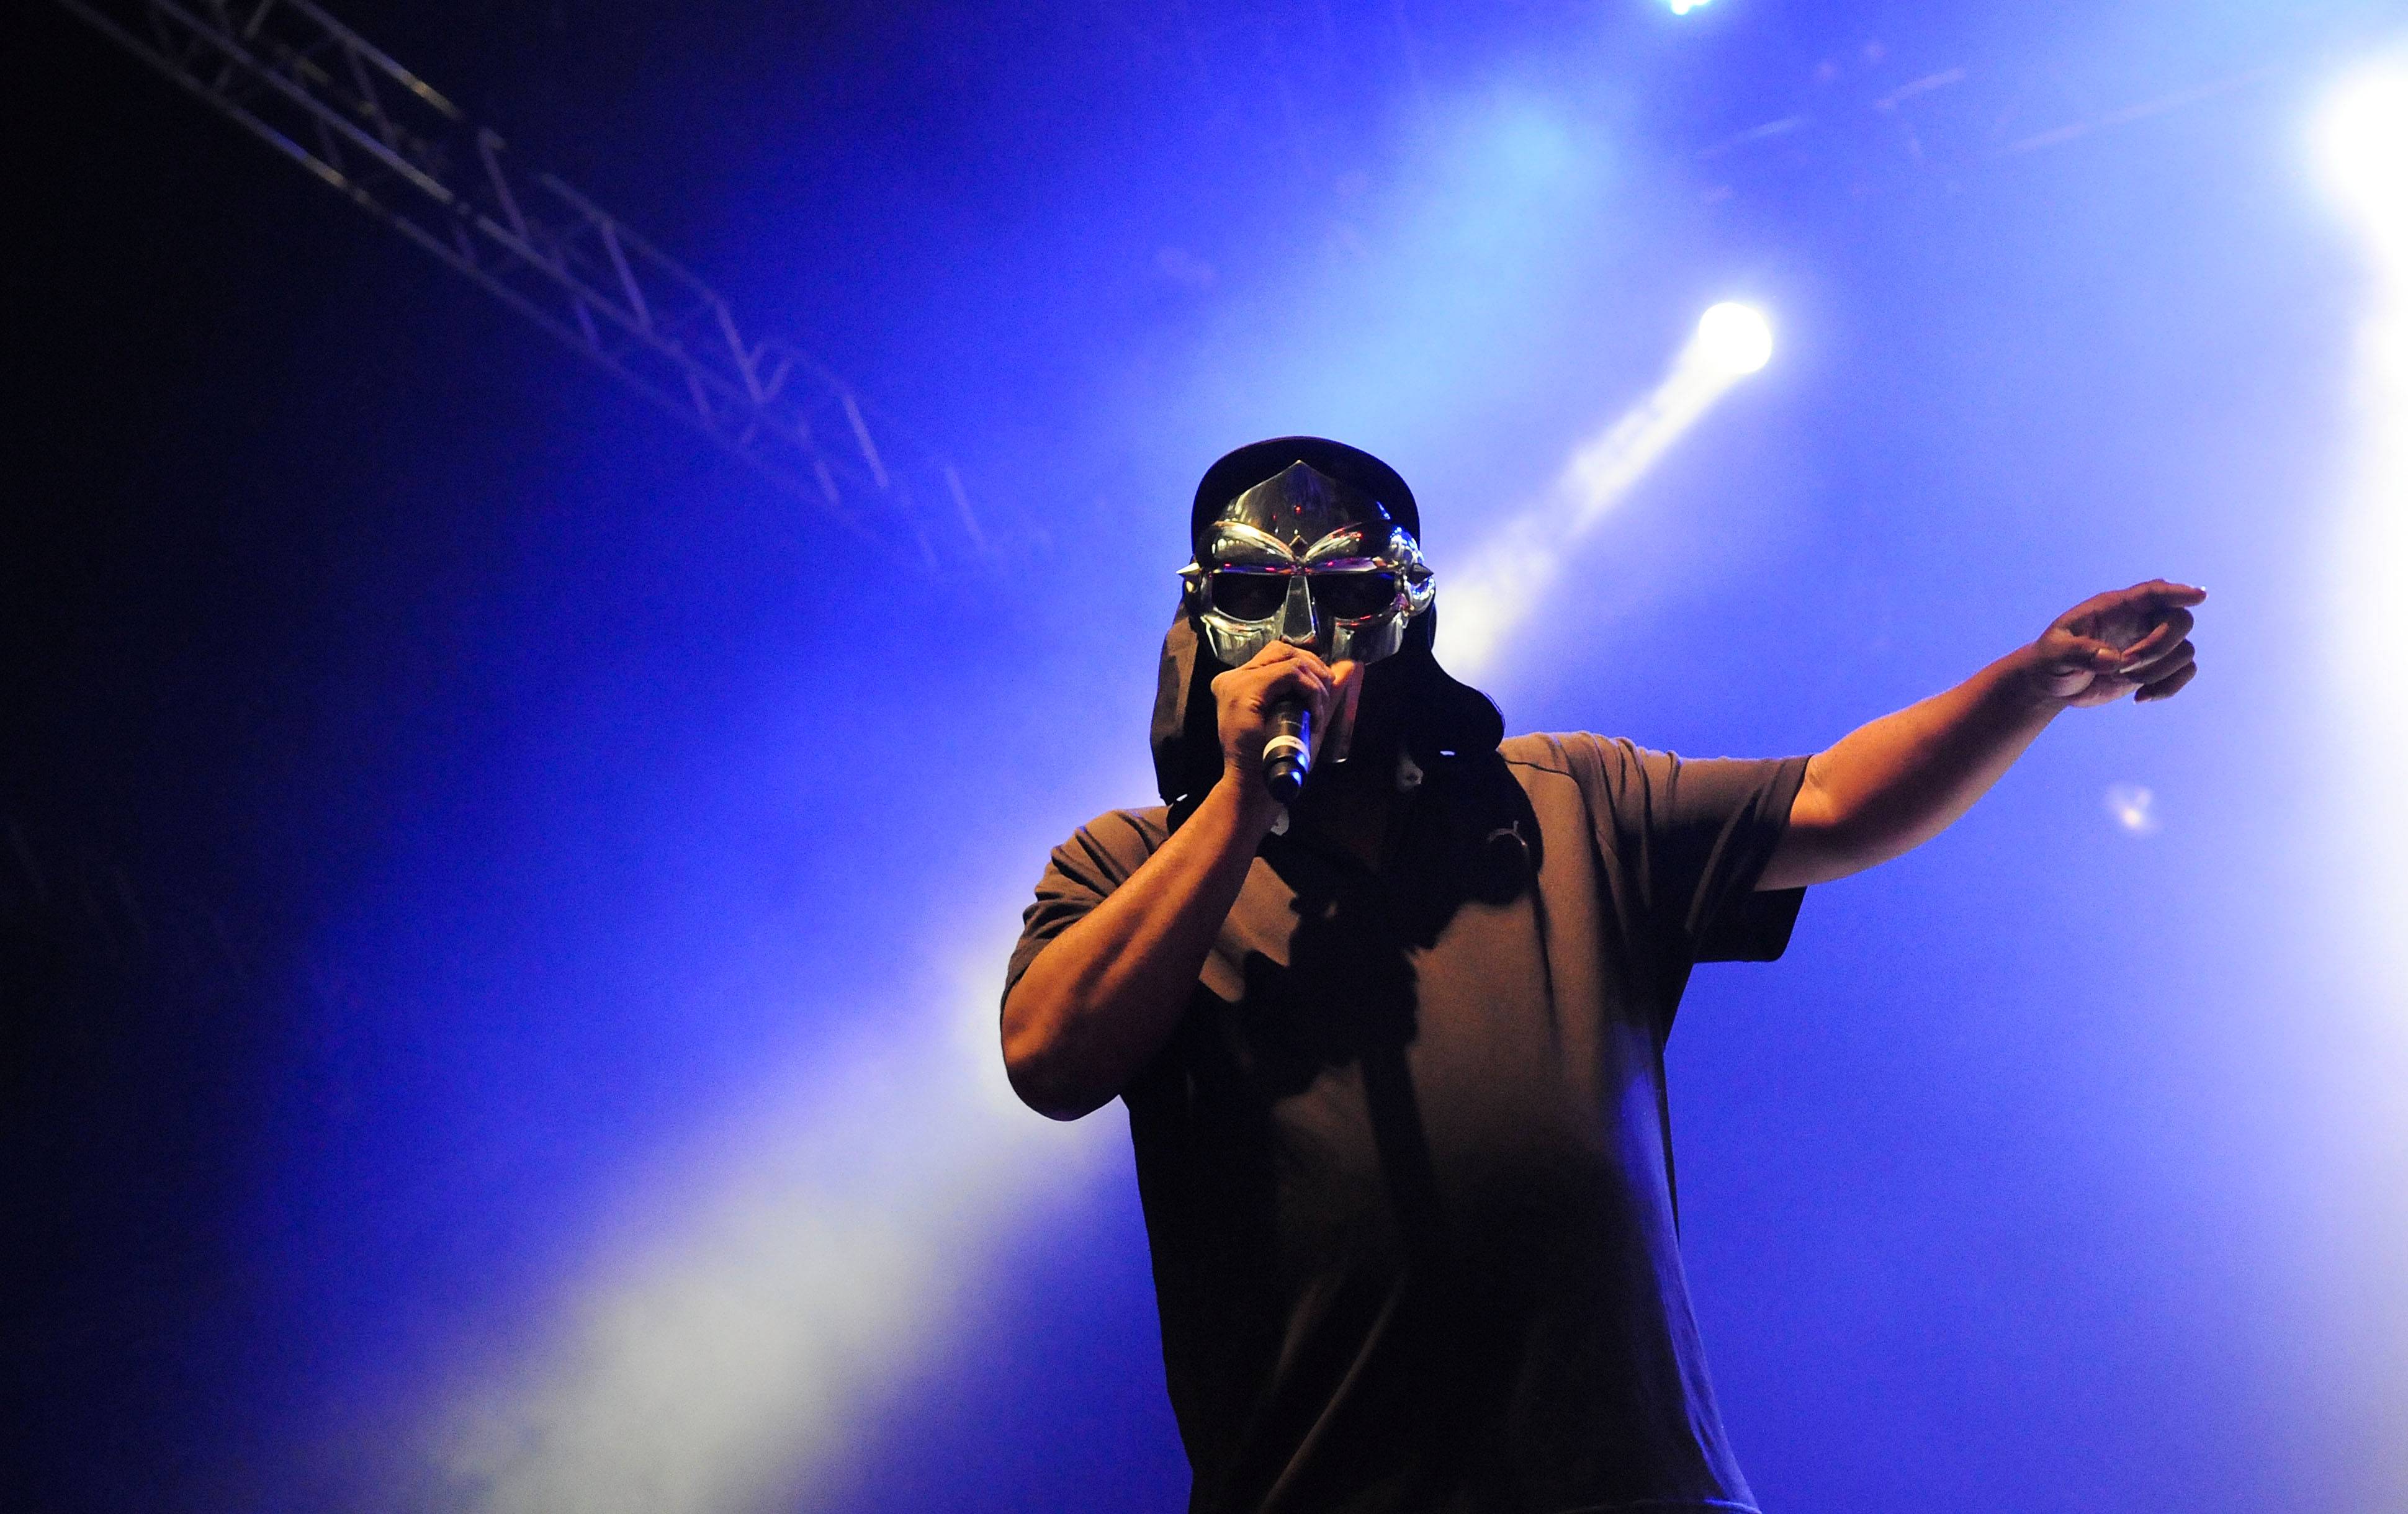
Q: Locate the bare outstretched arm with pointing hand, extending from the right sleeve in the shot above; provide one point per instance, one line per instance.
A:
(1896, 783)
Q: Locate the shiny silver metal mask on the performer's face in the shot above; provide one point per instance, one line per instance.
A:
(1311, 562)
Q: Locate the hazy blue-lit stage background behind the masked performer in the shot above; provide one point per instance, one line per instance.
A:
(509, 911)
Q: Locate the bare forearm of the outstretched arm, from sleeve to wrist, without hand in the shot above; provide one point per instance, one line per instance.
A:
(1896, 783)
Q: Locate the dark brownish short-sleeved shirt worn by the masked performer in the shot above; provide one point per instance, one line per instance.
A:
(1405, 1161)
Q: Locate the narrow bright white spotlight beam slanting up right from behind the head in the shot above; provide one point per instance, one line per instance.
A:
(1497, 591)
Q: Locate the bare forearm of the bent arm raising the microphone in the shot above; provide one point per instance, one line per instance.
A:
(1109, 990)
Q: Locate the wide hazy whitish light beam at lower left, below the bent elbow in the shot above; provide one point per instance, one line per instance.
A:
(731, 1349)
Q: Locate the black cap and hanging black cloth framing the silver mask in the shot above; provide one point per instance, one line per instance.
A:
(1441, 718)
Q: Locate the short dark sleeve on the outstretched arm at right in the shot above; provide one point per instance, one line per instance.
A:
(1692, 839)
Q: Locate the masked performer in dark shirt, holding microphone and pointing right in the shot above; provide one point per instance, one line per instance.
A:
(1395, 1053)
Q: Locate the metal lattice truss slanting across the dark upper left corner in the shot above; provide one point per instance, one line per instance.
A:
(394, 146)
